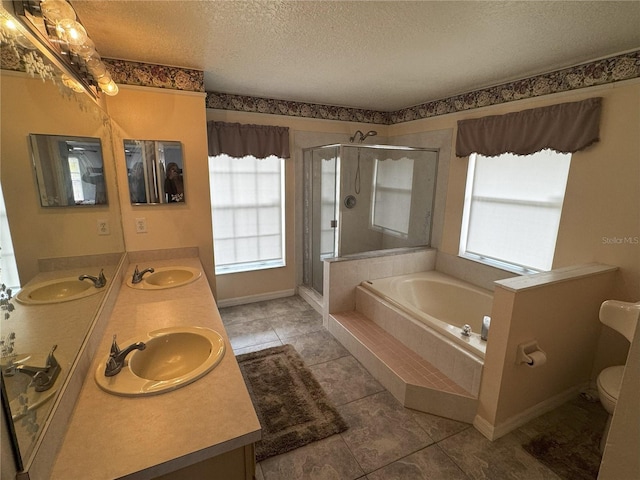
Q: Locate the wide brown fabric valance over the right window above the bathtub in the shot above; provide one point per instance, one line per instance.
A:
(565, 127)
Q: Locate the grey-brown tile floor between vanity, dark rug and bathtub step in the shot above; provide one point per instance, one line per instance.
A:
(385, 441)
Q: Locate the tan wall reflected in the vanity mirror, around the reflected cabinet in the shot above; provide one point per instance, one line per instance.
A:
(32, 106)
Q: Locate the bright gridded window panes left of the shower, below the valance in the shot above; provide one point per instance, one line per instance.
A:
(247, 203)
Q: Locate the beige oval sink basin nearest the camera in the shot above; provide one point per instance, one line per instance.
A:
(173, 357)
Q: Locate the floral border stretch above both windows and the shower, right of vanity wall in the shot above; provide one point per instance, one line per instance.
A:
(599, 72)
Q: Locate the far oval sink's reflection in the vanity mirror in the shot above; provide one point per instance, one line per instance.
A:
(57, 291)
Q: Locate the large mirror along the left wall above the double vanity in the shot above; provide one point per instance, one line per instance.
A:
(35, 234)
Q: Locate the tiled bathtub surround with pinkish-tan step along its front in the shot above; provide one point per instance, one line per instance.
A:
(418, 365)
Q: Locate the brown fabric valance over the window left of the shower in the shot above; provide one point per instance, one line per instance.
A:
(238, 140)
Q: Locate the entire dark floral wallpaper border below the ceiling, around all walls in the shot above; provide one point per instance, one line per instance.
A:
(599, 72)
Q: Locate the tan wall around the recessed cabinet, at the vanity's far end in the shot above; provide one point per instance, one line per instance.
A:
(156, 114)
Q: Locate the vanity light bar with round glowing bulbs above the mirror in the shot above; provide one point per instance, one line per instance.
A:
(55, 25)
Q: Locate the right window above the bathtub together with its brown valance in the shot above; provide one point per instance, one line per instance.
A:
(518, 169)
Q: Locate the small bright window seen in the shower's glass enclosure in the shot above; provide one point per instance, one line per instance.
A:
(392, 185)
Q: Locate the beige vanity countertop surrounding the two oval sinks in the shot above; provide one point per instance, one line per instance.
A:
(111, 436)
